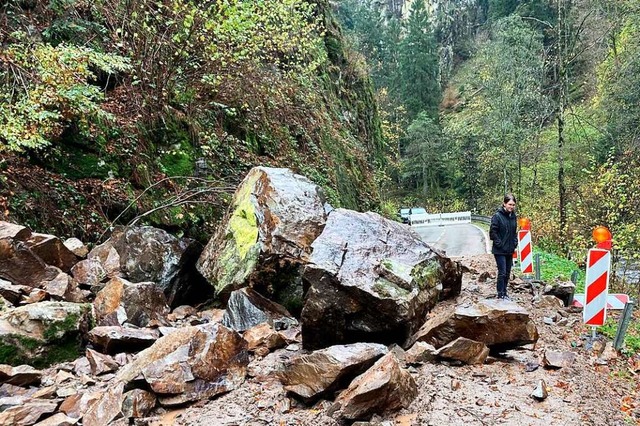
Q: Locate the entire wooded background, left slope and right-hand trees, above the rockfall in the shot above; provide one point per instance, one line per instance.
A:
(151, 111)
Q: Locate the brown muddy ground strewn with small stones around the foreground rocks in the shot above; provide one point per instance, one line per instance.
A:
(591, 392)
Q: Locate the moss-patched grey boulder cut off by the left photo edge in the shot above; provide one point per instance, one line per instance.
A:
(43, 333)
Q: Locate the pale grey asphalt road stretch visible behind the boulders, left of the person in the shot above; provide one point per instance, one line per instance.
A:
(456, 240)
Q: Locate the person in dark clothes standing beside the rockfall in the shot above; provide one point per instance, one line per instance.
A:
(504, 236)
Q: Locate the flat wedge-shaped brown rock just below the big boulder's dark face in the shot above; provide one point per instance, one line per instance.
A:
(313, 375)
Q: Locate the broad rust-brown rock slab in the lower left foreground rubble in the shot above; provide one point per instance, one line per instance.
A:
(191, 363)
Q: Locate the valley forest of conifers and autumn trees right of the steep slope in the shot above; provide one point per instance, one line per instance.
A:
(539, 98)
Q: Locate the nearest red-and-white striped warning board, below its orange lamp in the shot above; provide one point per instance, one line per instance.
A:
(596, 287)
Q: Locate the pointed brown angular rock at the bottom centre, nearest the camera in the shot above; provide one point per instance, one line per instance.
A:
(384, 387)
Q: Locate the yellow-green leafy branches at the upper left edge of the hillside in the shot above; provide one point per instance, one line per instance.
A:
(45, 88)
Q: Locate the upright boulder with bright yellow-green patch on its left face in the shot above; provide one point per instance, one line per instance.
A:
(274, 217)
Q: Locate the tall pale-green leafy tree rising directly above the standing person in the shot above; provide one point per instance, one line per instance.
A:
(504, 104)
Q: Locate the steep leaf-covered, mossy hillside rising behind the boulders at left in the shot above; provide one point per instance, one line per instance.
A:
(143, 111)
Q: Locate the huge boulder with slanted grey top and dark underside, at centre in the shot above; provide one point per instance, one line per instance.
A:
(370, 279)
